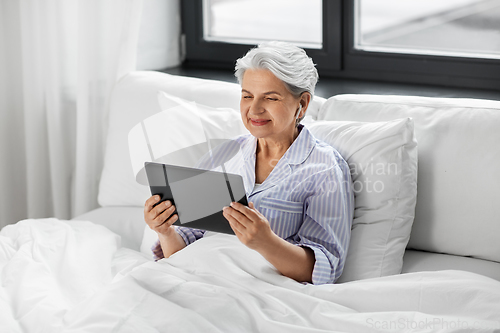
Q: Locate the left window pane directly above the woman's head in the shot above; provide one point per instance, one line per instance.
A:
(254, 21)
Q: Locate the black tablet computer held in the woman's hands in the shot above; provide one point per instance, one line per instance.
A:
(198, 195)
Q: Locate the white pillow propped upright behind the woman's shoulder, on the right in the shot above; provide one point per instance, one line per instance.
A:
(382, 157)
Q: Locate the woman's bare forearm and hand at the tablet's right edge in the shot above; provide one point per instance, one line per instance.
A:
(253, 230)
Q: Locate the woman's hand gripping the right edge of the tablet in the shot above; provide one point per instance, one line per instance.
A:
(249, 225)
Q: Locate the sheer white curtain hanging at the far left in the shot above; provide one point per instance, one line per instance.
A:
(59, 60)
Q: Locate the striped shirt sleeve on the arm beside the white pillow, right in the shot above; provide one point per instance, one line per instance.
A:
(326, 228)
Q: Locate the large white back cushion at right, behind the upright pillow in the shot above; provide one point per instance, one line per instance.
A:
(457, 209)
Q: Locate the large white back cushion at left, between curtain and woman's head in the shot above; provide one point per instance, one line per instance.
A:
(134, 98)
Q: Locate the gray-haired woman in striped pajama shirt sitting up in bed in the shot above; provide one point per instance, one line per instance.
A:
(301, 201)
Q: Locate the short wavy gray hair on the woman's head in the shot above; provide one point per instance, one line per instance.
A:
(286, 61)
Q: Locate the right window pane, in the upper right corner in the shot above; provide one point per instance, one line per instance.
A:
(468, 28)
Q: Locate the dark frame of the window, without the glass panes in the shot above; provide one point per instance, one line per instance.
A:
(339, 57)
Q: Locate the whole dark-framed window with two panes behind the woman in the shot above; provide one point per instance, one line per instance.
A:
(439, 42)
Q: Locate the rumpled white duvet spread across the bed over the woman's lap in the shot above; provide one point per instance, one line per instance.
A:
(73, 276)
